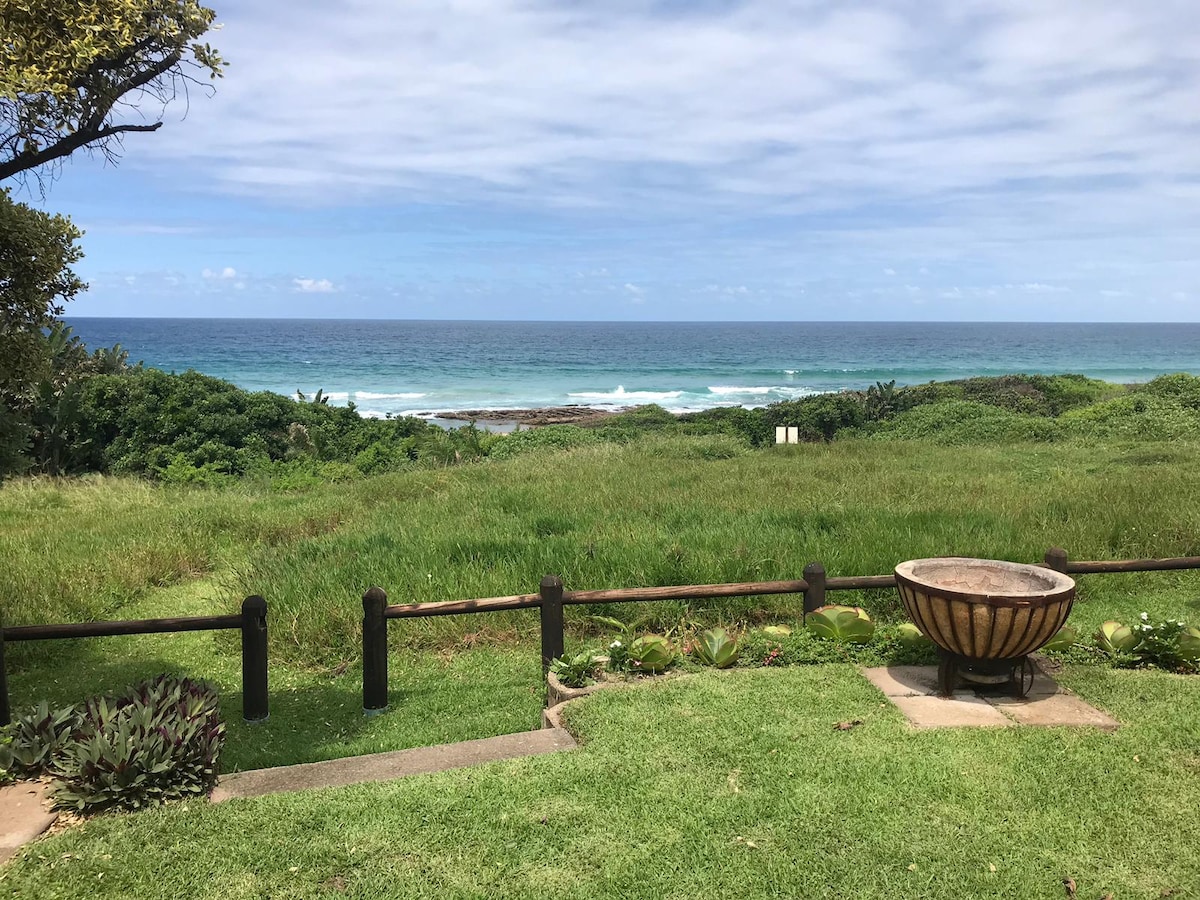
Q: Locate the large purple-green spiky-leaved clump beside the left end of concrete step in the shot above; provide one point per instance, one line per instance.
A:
(159, 742)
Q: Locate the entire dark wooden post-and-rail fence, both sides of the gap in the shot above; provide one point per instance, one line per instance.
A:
(550, 601)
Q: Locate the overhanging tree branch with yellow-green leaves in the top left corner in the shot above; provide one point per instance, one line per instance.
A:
(69, 69)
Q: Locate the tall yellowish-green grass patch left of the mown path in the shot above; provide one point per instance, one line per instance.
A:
(82, 549)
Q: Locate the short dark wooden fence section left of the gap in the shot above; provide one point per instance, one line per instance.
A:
(251, 621)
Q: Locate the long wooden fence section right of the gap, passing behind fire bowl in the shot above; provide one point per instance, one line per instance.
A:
(551, 599)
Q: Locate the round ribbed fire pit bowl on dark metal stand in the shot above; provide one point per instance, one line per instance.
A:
(986, 616)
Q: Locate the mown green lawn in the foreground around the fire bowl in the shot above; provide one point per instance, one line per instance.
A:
(731, 785)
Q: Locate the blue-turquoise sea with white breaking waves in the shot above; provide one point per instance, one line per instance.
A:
(425, 368)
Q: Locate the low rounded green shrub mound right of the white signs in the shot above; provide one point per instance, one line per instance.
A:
(959, 422)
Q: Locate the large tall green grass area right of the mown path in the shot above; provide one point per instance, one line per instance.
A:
(651, 513)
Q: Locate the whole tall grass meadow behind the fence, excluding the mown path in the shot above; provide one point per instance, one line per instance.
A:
(658, 511)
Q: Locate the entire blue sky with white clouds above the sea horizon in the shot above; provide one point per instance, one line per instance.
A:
(685, 160)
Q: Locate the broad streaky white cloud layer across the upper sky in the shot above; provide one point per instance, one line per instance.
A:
(809, 106)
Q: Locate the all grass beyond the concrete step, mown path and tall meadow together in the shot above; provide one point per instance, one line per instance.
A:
(657, 512)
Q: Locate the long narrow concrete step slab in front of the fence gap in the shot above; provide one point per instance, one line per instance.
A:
(398, 764)
